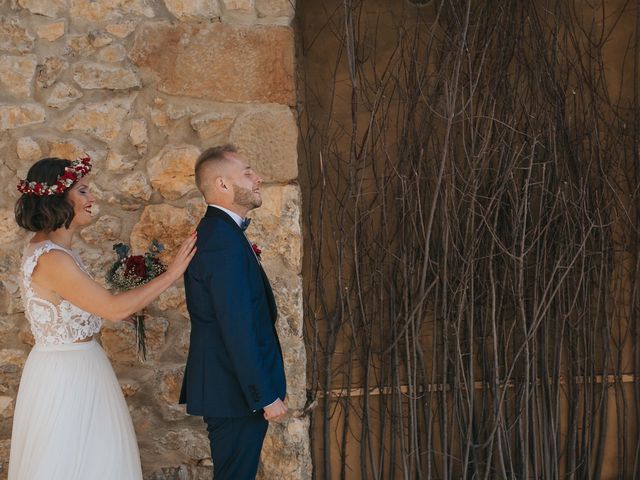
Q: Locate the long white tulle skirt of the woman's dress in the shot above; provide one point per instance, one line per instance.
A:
(71, 421)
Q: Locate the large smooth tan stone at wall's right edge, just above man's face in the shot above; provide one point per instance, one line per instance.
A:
(268, 138)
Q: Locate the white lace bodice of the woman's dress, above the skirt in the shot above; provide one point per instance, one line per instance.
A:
(53, 324)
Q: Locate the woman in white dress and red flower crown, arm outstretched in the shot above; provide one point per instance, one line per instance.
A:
(71, 421)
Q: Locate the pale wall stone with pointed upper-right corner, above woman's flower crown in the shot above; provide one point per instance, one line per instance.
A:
(101, 120)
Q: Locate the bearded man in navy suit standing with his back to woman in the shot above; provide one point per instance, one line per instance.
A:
(234, 376)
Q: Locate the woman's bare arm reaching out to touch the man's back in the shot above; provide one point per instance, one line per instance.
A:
(58, 271)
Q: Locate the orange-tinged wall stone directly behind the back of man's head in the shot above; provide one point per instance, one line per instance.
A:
(171, 171)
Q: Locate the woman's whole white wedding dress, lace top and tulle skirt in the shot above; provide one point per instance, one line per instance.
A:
(71, 421)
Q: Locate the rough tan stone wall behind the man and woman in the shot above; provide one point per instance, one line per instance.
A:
(143, 86)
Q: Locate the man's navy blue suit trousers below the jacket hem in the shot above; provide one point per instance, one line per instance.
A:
(236, 443)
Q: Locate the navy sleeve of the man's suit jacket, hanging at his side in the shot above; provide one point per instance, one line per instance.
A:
(230, 288)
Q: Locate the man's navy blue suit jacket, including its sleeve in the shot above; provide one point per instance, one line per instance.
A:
(234, 366)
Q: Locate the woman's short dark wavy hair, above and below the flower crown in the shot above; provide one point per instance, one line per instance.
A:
(44, 212)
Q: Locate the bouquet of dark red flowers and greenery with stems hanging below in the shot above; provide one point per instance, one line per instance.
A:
(131, 271)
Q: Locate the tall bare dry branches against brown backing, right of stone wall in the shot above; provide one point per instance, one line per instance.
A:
(472, 275)
